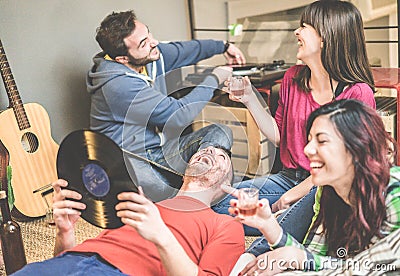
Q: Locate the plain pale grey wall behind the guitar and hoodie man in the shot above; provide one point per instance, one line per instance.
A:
(49, 45)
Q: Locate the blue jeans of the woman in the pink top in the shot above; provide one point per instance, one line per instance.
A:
(271, 187)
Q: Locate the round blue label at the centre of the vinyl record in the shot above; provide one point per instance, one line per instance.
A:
(95, 180)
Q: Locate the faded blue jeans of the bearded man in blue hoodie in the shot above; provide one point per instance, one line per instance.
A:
(159, 184)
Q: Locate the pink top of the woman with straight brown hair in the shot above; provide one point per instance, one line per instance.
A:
(294, 107)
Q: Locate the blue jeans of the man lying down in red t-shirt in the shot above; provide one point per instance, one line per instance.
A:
(70, 264)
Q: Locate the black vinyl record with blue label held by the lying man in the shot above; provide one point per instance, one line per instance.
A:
(94, 166)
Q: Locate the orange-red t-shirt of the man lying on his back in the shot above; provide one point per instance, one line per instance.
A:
(211, 240)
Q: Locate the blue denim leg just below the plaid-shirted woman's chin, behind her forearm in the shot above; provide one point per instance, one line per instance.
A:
(295, 221)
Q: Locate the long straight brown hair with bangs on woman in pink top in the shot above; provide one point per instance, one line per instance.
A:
(344, 54)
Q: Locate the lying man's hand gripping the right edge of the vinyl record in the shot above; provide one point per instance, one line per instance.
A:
(137, 211)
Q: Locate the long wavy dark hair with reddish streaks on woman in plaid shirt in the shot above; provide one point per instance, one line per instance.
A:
(365, 138)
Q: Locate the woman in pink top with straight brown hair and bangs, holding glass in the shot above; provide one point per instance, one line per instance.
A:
(335, 66)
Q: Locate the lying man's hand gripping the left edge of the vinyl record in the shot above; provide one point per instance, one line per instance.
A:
(66, 209)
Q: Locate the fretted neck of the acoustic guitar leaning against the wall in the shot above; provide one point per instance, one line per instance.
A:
(14, 98)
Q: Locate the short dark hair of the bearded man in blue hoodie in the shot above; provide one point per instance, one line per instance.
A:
(112, 31)
